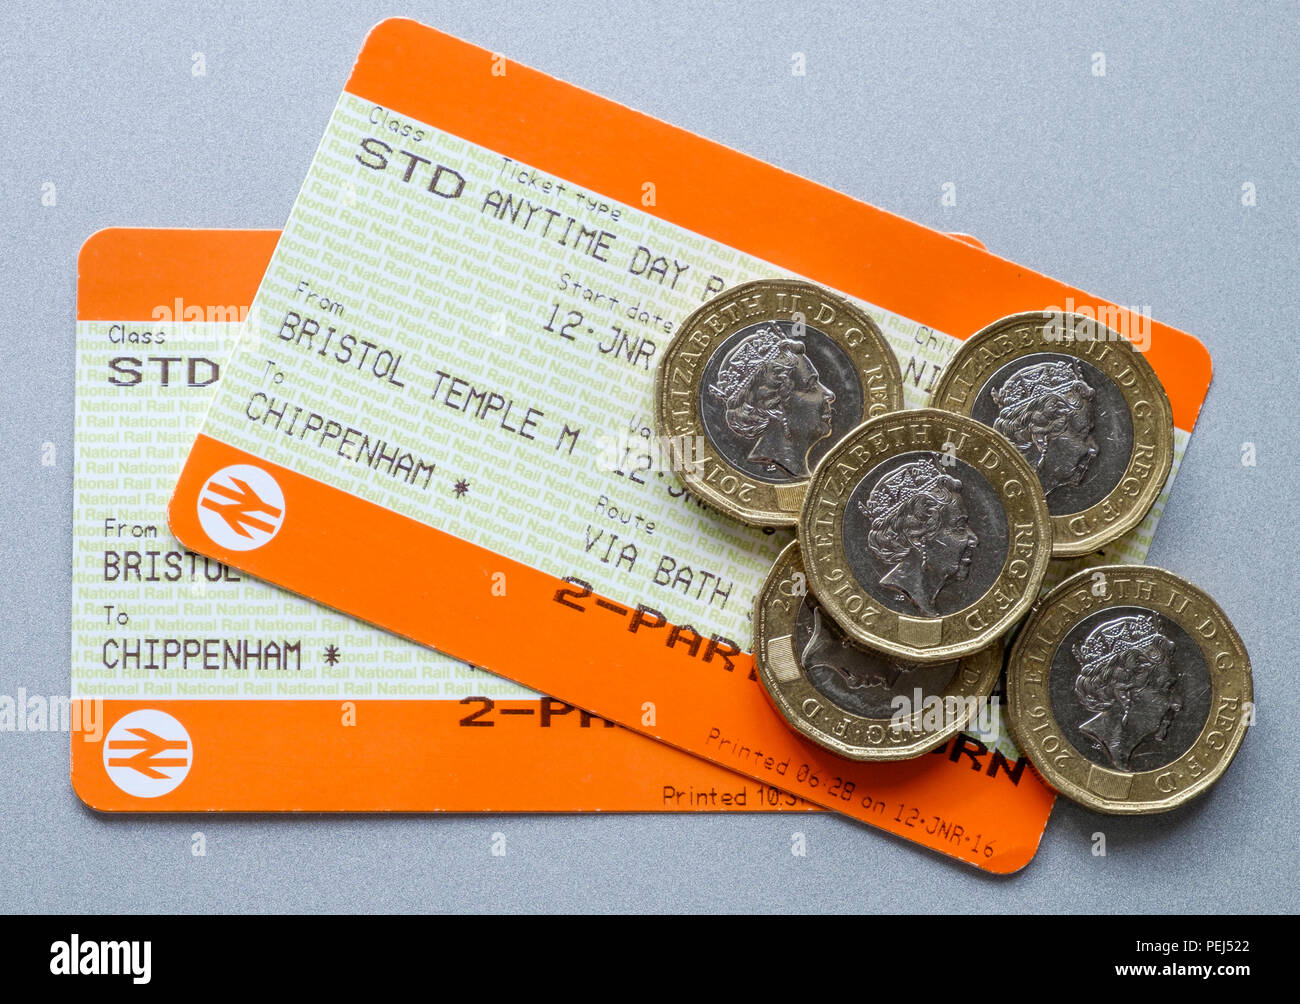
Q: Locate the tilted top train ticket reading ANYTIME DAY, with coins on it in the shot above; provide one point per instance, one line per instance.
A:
(437, 418)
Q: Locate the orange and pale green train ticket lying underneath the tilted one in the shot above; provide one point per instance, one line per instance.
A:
(197, 668)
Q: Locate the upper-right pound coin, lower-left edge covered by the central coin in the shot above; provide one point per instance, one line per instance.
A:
(1085, 409)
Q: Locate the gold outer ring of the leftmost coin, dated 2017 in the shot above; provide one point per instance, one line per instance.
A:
(678, 387)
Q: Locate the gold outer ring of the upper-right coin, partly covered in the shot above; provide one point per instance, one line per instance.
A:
(1020, 335)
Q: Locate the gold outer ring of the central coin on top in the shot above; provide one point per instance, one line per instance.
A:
(865, 618)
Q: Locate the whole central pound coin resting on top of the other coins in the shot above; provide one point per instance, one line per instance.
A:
(926, 535)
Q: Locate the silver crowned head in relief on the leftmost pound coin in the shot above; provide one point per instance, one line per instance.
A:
(774, 401)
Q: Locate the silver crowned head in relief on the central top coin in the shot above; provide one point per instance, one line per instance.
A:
(921, 531)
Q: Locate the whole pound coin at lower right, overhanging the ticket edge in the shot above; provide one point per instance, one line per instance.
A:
(1129, 690)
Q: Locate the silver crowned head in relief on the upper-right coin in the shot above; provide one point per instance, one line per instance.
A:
(1047, 412)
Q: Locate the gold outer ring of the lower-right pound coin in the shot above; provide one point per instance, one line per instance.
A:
(1042, 738)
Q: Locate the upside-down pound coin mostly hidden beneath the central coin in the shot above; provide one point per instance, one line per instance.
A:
(851, 700)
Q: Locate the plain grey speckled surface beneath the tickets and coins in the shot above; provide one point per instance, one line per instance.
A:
(1126, 185)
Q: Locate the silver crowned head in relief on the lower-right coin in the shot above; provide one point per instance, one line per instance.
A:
(1129, 682)
